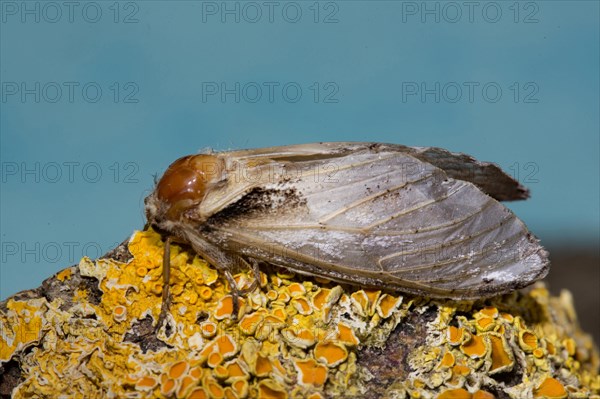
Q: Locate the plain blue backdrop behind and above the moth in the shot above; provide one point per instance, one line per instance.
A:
(365, 57)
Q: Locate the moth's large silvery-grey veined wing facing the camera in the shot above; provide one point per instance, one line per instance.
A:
(377, 215)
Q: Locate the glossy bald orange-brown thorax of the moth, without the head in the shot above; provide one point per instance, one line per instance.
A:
(186, 182)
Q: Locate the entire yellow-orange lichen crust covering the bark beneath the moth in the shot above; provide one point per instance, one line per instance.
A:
(294, 337)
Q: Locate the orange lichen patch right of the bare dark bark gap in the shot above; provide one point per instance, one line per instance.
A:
(472, 349)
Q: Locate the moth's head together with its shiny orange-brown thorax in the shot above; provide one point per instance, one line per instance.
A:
(182, 188)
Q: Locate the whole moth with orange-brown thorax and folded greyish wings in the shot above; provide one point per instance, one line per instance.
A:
(418, 220)
